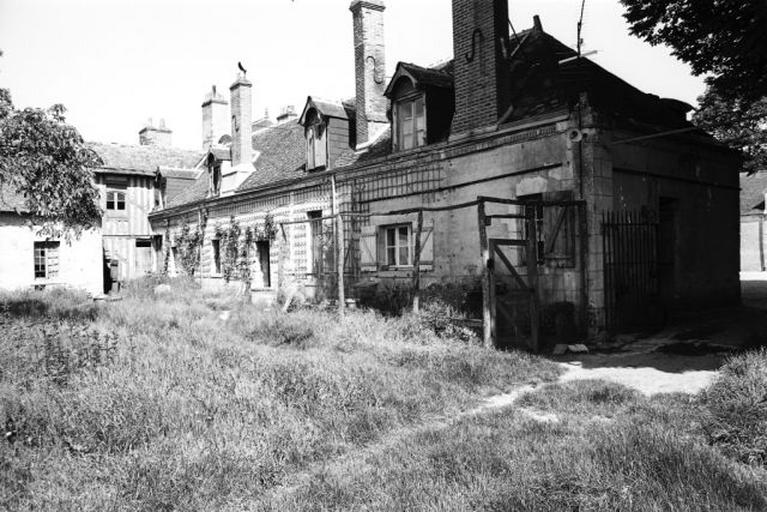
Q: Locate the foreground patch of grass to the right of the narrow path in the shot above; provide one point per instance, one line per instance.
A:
(610, 449)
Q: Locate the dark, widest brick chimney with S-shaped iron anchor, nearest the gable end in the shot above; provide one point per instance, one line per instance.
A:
(480, 39)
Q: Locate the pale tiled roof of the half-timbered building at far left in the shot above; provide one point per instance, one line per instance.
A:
(143, 159)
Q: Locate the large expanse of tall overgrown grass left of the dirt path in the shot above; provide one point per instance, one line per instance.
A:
(155, 403)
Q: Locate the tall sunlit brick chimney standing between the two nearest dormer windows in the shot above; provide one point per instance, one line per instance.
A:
(370, 68)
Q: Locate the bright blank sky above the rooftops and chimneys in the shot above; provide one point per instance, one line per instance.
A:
(116, 63)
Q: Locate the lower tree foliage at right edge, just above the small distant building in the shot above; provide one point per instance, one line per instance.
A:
(739, 123)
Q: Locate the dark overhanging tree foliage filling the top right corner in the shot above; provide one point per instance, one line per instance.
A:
(723, 38)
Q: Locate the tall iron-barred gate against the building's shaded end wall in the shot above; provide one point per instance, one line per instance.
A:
(630, 243)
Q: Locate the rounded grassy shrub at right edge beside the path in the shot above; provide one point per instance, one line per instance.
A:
(736, 406)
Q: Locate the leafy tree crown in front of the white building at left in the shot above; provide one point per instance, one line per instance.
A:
(46, 160)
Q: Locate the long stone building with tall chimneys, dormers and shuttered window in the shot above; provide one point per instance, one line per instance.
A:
(599, 205)
